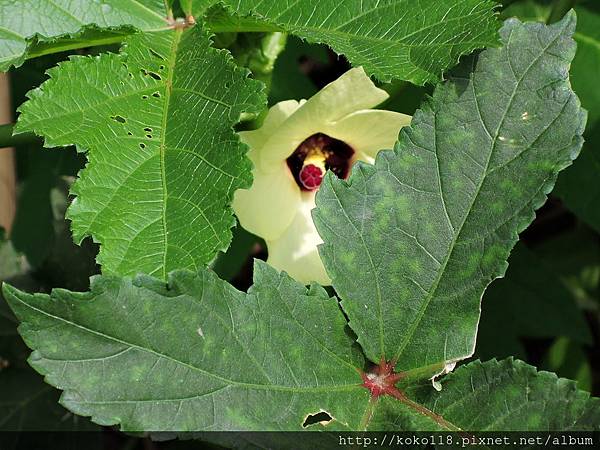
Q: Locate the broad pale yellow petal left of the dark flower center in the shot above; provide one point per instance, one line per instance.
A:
(269, 206)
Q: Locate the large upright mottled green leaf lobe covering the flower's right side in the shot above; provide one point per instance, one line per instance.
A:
(412, 242)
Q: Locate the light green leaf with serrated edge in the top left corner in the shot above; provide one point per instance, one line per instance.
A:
(37, 26)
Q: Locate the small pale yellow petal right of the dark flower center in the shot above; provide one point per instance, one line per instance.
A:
(369, 131)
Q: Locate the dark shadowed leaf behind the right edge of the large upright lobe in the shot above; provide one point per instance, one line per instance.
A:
(530, 289)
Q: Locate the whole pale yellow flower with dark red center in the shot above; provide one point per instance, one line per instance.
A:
(291, 152)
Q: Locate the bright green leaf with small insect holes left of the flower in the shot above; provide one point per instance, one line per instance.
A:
(156, 121)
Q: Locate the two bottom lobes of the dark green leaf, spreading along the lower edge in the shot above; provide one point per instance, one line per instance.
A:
(199, 355)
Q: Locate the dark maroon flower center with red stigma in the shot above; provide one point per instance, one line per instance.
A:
(317, 154)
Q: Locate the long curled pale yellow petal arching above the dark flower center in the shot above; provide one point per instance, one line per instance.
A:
(351, 92)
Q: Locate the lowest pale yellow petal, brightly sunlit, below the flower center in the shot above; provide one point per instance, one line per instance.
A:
(296, 250)
